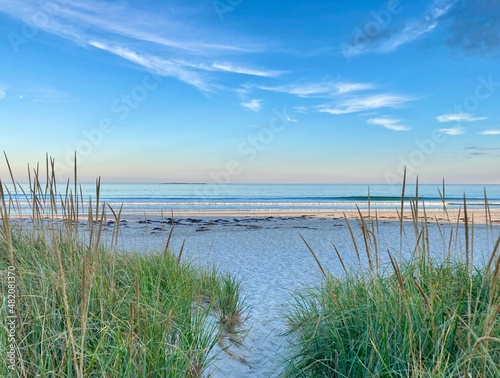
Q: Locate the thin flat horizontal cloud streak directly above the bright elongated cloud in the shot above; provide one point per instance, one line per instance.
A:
(325, 89)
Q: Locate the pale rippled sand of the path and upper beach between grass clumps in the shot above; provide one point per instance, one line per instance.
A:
(272, 260)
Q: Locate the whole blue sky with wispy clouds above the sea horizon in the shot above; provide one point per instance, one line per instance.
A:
(252, 91)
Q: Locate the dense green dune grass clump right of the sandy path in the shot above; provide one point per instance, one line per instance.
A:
(416, 317)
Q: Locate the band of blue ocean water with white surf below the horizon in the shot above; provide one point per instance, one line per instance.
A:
(269, 198)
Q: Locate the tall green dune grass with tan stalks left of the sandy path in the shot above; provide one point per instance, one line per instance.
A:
(82, 309)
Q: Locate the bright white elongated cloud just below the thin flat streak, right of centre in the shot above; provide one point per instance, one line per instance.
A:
(359, 104)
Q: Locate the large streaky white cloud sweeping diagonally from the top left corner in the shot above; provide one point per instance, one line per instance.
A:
(167, 43)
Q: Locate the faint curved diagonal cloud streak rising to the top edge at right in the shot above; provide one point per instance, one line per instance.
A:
(390, 40)
